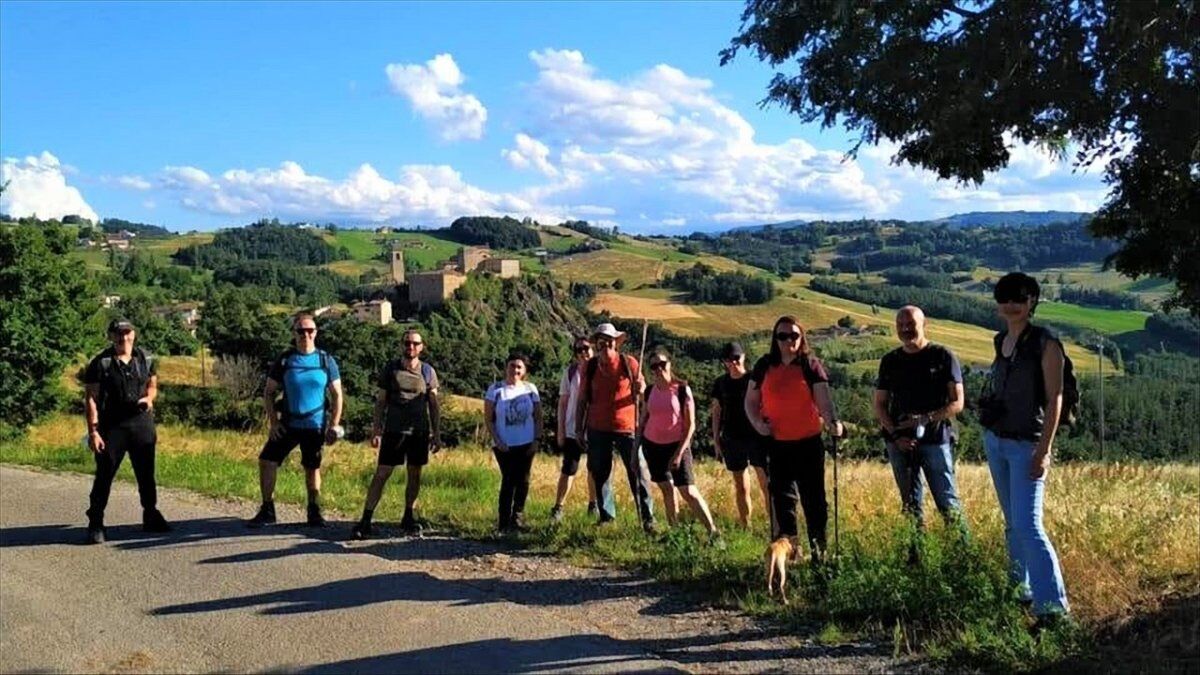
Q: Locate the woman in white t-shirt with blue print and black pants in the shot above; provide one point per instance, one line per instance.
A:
(513, 413)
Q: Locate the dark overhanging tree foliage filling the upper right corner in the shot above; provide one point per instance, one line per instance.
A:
(955, 85)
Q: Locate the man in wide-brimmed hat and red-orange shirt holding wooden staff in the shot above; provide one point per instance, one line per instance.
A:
(608, 421)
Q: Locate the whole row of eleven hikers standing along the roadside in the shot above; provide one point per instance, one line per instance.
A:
(767, 422)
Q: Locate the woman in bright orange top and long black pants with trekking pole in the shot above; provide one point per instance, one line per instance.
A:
(789, 402)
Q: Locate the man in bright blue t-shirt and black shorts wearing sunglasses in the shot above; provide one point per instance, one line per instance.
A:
(305, 375)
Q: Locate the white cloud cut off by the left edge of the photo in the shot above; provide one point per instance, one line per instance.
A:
(39, 187)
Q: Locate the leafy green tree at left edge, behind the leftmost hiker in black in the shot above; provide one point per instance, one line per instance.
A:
(49, 319)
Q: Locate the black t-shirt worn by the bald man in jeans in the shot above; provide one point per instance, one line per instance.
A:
(920, 384)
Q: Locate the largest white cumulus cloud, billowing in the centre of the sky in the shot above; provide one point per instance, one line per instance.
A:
(662, 142)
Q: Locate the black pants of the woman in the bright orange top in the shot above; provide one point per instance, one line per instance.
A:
(797, 474)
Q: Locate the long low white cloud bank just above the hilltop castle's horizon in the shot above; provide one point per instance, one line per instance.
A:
(421, 194)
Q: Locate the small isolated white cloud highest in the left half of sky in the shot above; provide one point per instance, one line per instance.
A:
(435, 89)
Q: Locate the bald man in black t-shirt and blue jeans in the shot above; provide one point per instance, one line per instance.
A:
(919, 393)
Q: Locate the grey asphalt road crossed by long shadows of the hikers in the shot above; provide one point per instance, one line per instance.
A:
(215, 596)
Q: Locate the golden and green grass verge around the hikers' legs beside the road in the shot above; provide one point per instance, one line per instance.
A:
(1113, 561)
